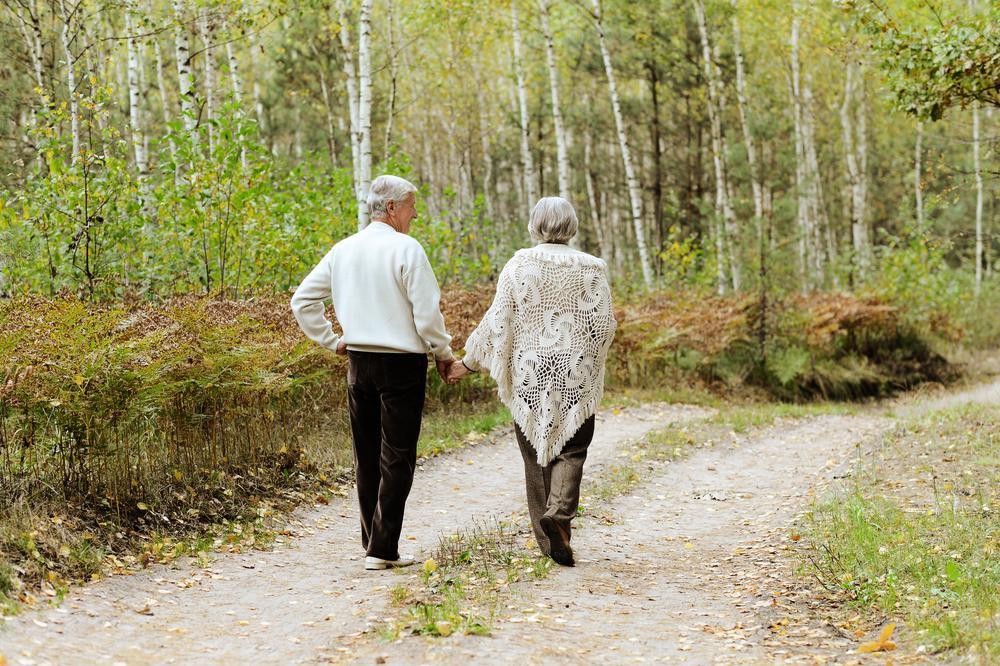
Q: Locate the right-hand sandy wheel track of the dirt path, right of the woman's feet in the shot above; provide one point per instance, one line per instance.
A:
(680, 572)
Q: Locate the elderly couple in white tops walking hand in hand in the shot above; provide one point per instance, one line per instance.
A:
(544, 340)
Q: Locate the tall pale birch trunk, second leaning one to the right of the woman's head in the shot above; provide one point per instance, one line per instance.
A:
(723, 207)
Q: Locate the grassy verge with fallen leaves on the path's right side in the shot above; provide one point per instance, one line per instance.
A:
(918, 536)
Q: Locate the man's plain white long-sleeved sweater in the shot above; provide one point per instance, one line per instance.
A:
(385, 296)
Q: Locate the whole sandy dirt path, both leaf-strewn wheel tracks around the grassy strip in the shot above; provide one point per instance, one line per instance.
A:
(691, 560)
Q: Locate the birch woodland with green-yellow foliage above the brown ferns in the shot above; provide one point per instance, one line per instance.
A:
(155, 148)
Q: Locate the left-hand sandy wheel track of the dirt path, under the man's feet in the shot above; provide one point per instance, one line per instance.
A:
(290, 604)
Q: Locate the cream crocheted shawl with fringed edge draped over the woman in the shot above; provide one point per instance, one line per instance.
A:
(545, 339)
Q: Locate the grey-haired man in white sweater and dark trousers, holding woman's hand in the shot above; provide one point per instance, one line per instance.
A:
(386, 299)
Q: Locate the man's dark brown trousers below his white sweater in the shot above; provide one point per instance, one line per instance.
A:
(385, 394)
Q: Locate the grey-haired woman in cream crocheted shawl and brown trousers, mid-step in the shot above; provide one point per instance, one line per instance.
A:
(544, 340)
